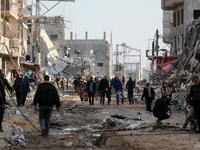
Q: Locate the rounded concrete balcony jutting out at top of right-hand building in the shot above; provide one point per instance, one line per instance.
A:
(170, 4)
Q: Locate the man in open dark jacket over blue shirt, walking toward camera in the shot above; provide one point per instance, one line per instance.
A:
(91, 89)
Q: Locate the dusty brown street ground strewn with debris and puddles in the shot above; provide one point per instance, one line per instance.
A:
(81, 128)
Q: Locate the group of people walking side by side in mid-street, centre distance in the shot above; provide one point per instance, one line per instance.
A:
(102, 88)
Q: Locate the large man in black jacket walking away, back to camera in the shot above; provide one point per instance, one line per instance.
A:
(46, 95)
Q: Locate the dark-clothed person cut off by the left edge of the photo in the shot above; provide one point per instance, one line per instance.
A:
(3, 83)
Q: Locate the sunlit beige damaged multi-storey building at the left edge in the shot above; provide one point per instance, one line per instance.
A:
(13, 35)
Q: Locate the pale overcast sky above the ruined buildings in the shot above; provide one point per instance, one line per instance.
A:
(130, 21)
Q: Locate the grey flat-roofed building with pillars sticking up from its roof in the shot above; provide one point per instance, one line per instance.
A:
(99, 53)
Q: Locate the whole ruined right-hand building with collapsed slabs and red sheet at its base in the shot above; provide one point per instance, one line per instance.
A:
(182, 35)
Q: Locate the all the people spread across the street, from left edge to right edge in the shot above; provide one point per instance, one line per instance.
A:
(47, 96)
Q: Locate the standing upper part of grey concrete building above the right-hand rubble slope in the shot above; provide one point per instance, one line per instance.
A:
(177, 14)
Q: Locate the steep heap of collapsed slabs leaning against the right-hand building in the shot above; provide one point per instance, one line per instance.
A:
(190, 57)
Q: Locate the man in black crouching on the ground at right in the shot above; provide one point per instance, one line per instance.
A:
(160, 110)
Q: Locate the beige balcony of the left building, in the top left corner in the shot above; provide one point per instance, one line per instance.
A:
(9, 9)
